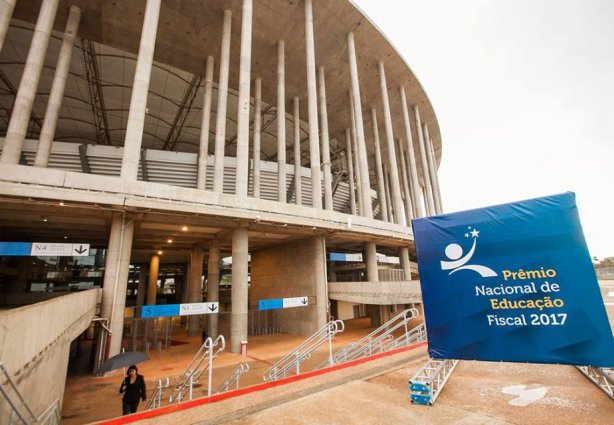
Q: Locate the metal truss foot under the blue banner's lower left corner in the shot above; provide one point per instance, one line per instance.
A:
(427, 383)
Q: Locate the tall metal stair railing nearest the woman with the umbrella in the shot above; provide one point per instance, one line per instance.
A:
(208, 351)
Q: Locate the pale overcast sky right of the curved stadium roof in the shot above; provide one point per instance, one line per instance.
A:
(524, 94)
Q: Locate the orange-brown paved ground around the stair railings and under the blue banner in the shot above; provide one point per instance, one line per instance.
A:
(371, 393)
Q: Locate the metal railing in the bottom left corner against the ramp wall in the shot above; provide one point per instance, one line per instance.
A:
(15, 410)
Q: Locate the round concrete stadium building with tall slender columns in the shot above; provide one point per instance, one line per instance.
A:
(289, 137)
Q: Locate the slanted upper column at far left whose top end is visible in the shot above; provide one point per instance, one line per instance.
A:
(57, 88)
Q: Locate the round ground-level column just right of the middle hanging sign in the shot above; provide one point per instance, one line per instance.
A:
(238, 317)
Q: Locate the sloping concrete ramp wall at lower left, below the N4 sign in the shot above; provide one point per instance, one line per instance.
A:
(35, 342)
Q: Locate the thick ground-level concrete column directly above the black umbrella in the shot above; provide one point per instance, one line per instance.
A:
(115, 282)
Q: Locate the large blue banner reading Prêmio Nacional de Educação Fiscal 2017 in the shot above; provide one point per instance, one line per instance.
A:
(512, 282)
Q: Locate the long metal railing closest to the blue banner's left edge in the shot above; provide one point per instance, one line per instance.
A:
(381, 339)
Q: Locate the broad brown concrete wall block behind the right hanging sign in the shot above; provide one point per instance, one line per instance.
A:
(286, 271)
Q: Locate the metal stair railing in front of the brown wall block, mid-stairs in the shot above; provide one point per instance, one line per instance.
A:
(291, 362)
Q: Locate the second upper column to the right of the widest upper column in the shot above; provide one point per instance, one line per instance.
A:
(222, 103)
